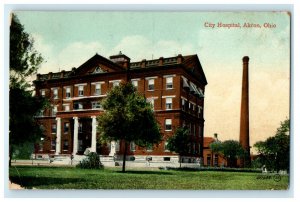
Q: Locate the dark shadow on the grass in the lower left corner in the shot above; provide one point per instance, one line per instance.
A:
(30, 182)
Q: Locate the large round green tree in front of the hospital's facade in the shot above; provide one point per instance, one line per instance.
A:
(128, 117)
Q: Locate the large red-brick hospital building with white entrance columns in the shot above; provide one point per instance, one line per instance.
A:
(175, 86)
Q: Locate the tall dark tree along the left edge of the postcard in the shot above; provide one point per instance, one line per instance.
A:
(23, 107)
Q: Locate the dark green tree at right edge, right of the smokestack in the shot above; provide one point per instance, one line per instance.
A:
(274, 152)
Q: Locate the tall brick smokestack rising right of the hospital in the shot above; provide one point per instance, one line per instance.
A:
(244, 121)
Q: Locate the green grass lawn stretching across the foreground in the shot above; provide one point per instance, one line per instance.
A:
(110, 178)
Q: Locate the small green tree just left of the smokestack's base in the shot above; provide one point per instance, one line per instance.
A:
(232, 150)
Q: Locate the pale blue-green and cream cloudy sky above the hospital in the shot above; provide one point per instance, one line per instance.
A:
(68, 39)
